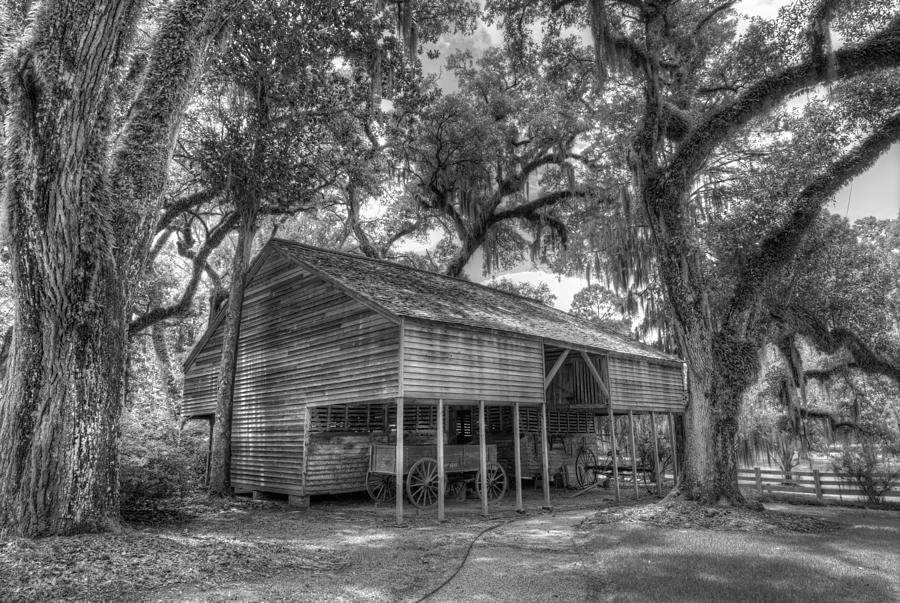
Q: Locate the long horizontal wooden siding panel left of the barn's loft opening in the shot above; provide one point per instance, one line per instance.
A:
(459, 364)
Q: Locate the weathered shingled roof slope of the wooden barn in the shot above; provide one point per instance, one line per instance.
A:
(418, 294)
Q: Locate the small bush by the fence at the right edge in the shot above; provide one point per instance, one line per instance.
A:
(866, 464)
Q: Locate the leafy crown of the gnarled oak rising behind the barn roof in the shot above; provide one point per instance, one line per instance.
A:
(489, 164)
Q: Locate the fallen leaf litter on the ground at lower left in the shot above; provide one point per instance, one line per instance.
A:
(104, 566)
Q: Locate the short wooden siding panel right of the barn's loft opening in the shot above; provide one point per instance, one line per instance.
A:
(645, 386)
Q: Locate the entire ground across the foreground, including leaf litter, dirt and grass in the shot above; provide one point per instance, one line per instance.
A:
(586, 549)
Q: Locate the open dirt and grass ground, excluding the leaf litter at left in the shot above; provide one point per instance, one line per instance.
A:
(564, 555)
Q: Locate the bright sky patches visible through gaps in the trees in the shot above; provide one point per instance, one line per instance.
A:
(874, 193)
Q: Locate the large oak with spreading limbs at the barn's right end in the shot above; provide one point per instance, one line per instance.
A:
(705, 109)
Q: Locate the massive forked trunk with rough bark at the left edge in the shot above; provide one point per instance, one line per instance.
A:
(61, 398)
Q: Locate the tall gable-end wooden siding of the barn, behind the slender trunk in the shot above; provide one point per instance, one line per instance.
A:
(303, 341)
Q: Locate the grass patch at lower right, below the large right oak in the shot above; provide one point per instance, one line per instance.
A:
(860, 562)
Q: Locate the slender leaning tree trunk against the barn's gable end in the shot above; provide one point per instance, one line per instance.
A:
(220, 462)
